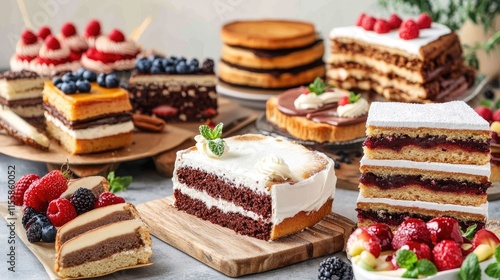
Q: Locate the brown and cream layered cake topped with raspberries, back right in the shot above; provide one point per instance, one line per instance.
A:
(423, 68)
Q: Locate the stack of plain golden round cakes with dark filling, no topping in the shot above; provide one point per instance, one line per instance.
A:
(270, 54)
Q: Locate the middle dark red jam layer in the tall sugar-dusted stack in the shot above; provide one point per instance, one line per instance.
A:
(441, 185)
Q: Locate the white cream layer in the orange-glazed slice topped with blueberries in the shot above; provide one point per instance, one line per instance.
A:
(92, 132)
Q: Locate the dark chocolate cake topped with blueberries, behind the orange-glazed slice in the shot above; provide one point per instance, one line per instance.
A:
(174, 89)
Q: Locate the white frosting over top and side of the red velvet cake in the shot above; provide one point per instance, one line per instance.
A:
(310, 190)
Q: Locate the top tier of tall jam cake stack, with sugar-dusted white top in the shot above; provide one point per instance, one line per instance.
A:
(450, 132)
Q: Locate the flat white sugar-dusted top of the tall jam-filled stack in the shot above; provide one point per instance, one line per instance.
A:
(450, 115)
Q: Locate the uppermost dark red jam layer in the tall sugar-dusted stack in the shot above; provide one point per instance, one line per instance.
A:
(396, 143)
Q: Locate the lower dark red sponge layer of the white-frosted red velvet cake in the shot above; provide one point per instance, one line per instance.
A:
(237, 222)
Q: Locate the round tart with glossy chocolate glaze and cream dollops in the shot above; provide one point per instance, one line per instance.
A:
(319, 113)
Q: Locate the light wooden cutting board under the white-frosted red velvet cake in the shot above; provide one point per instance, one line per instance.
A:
(236, 255)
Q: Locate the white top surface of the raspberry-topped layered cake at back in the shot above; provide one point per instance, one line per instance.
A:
(392, 39)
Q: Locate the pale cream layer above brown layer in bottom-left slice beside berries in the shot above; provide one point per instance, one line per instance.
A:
(100, 234)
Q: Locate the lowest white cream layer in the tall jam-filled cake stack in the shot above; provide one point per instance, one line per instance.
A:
(481, 210)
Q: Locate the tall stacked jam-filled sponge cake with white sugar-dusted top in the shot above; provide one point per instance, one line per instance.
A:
(424, 161)
